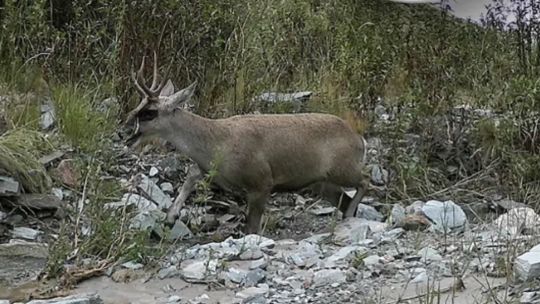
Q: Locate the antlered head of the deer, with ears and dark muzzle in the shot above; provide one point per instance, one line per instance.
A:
(158, 104)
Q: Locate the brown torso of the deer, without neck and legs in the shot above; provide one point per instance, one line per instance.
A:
(295, 150)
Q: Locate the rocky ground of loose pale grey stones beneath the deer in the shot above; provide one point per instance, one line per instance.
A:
(425, 252)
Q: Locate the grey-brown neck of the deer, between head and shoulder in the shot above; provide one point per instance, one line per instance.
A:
(196, 136)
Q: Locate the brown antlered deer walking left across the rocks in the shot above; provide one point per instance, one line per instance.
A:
(255, 155)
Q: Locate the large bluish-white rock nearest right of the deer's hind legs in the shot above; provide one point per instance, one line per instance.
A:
(446, 216)
